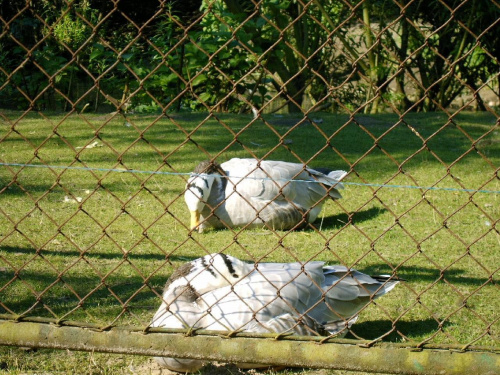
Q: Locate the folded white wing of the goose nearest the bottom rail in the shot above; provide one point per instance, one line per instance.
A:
(270, 297)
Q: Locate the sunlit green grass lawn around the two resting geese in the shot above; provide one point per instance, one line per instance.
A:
(445, 243)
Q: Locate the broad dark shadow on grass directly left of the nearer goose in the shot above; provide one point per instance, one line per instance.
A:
(45, 295)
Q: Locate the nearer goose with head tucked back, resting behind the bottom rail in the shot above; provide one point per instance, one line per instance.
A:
(222, 293)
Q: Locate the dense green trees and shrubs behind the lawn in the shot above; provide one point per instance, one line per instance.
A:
(236, 56)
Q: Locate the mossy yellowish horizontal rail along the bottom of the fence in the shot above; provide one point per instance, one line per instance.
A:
(293, 353)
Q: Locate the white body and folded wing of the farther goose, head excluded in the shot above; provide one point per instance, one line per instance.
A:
(276, 192)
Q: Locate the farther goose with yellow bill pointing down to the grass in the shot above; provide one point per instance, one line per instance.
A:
(278, 194)
